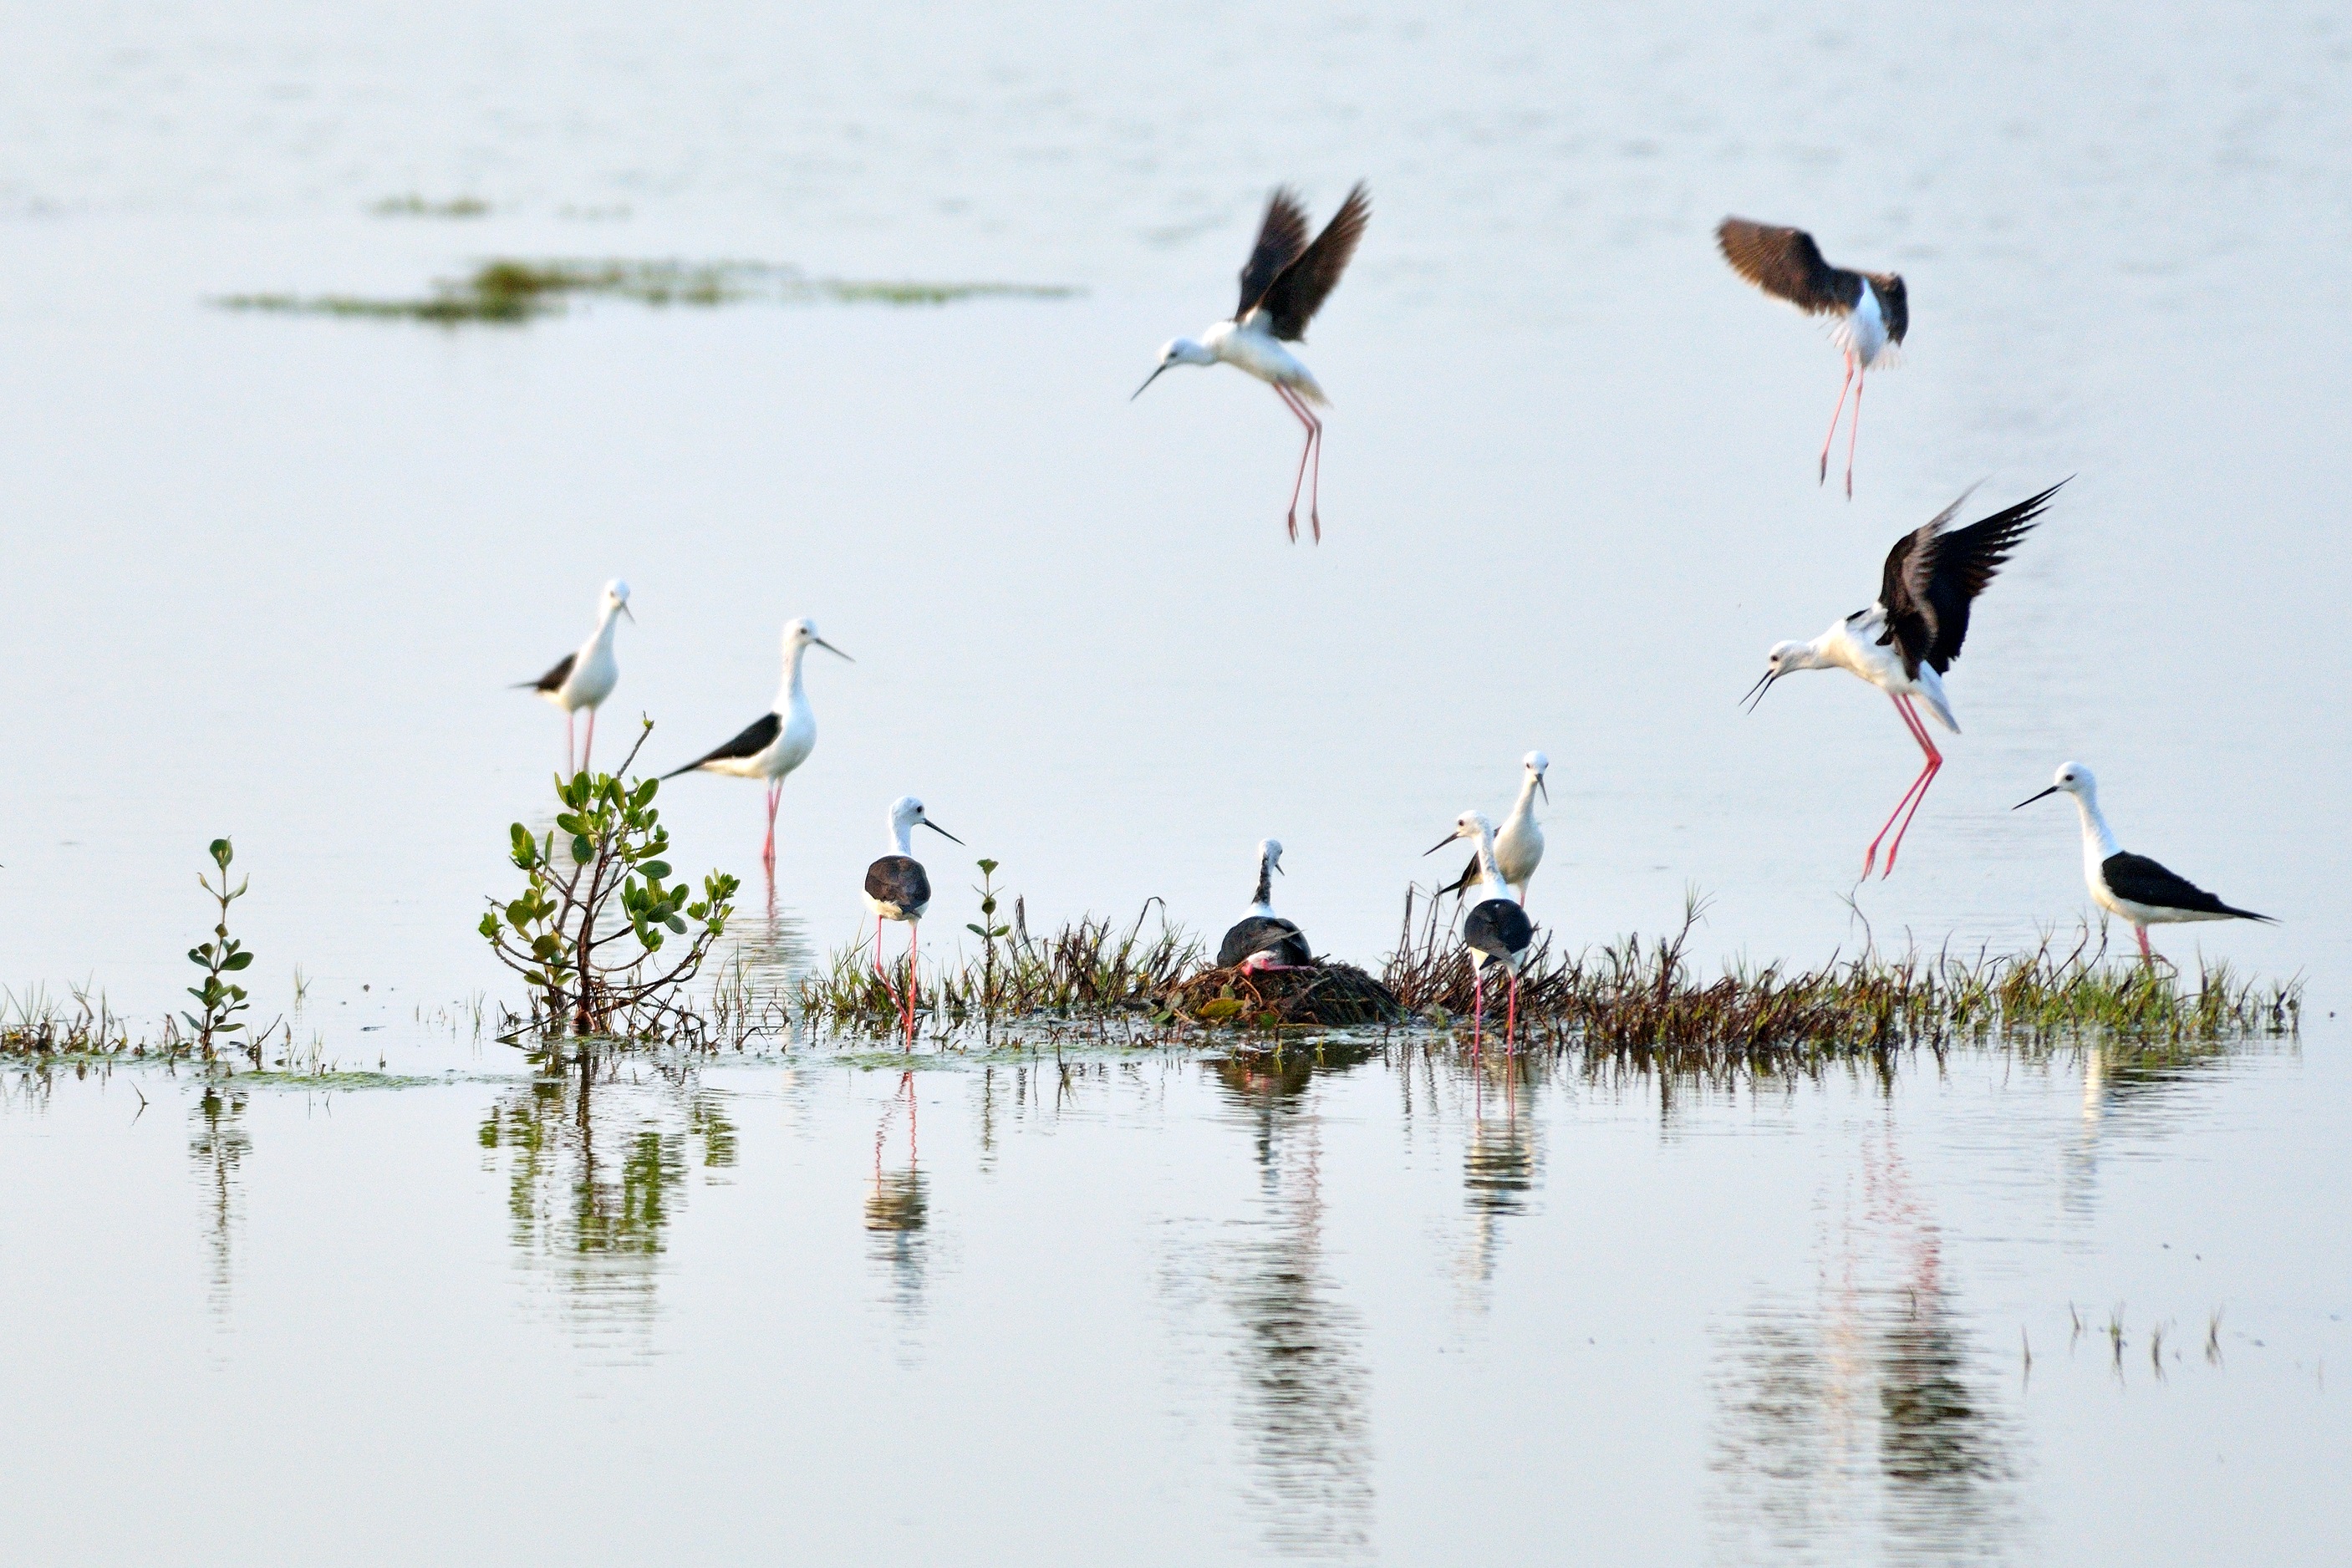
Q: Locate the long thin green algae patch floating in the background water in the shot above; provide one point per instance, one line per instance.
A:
(512, 293)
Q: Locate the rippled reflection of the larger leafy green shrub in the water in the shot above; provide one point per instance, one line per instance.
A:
(599, 1167)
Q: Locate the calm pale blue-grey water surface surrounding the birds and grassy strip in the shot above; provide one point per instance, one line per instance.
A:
(269, 577)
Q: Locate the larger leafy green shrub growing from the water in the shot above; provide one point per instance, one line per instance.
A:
(599, 909)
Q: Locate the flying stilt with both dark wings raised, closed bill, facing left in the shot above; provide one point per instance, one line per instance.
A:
(1283, 288)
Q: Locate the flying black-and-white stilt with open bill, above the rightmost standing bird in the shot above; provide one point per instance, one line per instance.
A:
(1906, 641)
